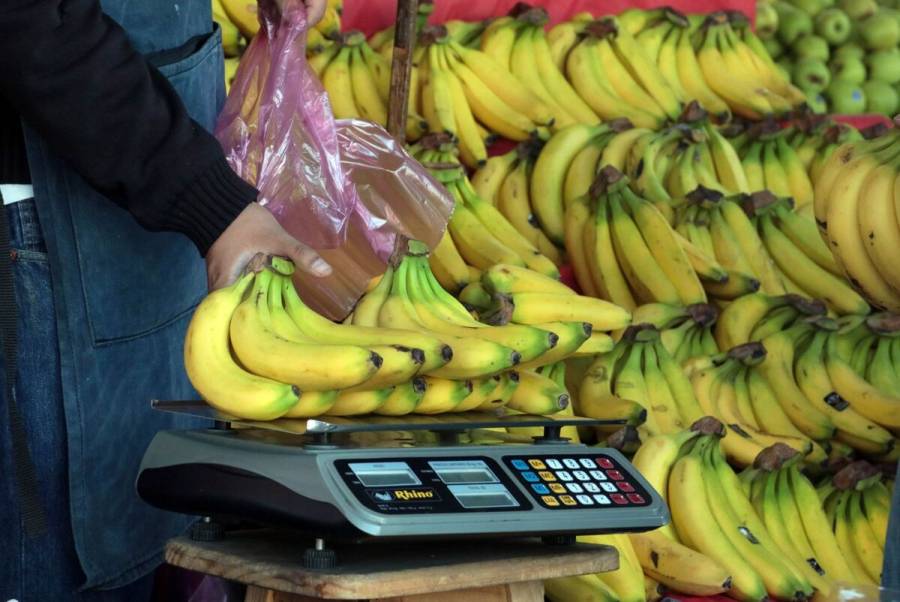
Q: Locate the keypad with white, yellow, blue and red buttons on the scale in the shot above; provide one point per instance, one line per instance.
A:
(562, 482)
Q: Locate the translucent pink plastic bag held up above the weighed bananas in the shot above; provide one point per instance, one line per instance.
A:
(279, 134)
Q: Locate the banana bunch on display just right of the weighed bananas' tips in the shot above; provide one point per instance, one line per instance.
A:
(640, 383)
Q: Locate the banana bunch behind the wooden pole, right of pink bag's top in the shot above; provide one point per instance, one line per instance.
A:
(358, 82)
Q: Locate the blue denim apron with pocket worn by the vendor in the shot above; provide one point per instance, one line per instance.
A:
(123, 297)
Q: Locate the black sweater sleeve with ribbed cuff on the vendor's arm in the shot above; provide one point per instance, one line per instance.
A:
(69, 71)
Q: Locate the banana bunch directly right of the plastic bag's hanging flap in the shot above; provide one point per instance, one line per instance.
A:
(478, 235)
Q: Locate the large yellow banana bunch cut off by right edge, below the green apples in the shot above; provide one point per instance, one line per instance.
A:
(857, 213)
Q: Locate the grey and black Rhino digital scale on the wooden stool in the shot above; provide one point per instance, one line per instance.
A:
(415, 477)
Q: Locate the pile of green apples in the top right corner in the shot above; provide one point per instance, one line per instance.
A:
(842, 53)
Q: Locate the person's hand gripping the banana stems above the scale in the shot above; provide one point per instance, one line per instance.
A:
(256, 231)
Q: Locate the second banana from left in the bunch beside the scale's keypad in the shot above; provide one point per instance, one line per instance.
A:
(693, 515)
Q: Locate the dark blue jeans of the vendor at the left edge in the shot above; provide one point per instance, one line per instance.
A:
(44, 568)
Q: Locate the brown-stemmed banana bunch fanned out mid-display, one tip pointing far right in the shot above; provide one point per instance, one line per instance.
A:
(623, 249)
